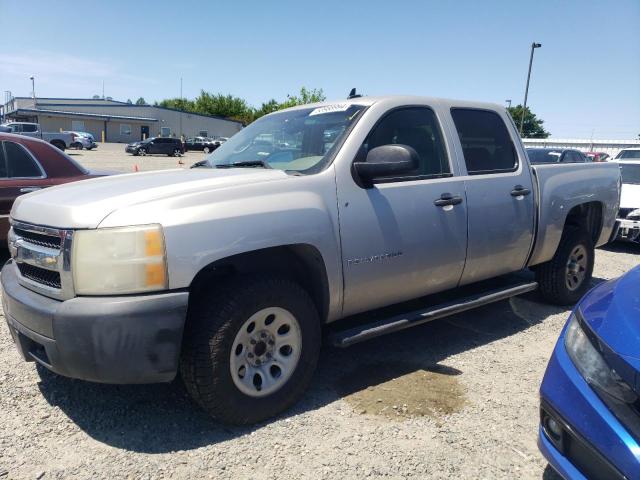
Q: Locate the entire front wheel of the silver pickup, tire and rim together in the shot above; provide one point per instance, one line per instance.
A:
(251, 352)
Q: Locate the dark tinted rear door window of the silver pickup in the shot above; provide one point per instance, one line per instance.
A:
(486, 145)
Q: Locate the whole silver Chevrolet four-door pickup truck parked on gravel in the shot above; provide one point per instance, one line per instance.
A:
(229, 272)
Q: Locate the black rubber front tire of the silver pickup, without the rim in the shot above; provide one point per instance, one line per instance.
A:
(211, 329)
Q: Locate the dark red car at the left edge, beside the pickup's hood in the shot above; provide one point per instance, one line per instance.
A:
(28, 164)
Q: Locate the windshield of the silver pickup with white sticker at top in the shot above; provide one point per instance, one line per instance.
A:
(297, 141)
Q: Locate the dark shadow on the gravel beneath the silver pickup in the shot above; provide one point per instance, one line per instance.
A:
(162, 418)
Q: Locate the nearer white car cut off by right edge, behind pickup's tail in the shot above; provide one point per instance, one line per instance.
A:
(629, 213)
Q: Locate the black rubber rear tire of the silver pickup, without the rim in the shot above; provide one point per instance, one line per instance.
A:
(552, 275)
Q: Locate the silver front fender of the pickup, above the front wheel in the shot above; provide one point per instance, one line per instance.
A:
(205, 227)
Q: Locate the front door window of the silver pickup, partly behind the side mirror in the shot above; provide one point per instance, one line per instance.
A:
(416, 127)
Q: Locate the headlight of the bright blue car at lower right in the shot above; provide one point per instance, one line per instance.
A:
(592, 366)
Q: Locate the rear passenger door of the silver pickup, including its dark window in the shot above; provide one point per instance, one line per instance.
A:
(500, 199)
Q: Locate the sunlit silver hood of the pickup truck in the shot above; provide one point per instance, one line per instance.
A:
(86, 203)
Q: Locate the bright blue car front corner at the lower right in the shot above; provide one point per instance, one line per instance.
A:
(590, 394)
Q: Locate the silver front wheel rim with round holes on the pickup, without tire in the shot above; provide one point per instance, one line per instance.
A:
(265, 352)
